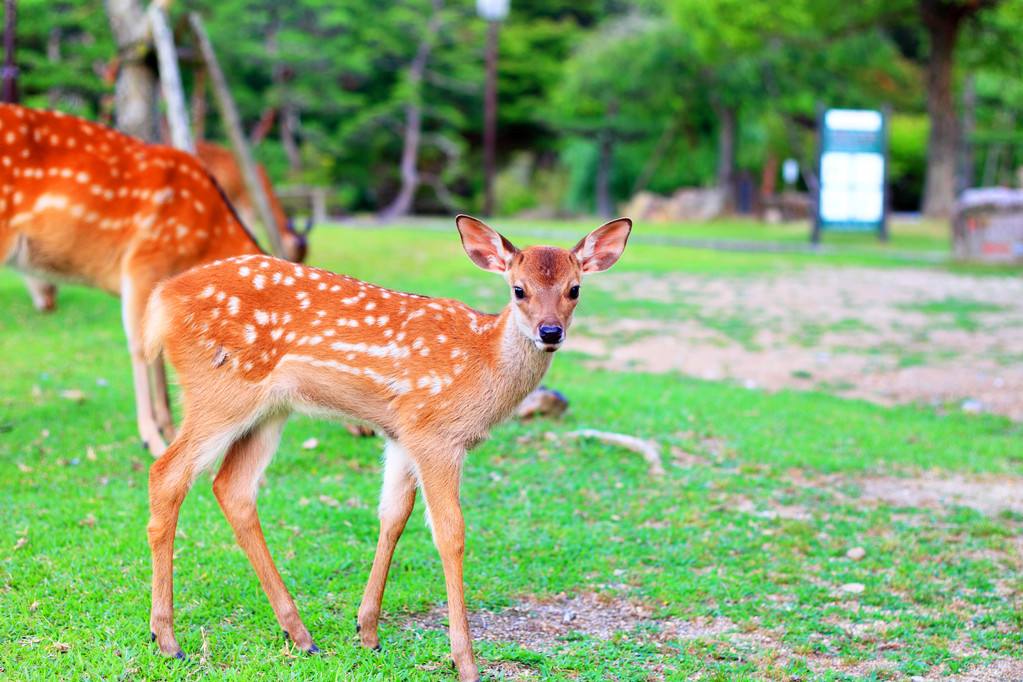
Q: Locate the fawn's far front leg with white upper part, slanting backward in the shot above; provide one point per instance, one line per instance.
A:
(397, 499)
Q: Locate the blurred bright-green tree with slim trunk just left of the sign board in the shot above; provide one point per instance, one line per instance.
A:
(771, 66)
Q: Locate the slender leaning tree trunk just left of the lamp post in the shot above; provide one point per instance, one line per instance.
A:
(403, 204)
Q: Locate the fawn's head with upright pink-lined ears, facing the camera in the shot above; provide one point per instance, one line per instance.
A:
(545, 282)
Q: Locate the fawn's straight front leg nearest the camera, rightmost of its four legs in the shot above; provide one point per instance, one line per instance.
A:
(440, 482)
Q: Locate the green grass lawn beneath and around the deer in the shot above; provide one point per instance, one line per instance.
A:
(736, 561)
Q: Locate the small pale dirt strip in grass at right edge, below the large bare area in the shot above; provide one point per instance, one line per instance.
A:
(990, 495)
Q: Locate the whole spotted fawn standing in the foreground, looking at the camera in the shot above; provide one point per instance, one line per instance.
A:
(255, 339)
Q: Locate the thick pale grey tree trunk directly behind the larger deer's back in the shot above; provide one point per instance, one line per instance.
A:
(137, 89)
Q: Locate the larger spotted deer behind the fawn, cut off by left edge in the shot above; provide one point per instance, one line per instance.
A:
(83, 203)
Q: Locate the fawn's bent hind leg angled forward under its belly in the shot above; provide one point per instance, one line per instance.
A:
(237, 486)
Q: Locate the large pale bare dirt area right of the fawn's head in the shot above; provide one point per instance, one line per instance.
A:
(886, 336)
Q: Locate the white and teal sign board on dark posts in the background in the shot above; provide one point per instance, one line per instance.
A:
(853, 167)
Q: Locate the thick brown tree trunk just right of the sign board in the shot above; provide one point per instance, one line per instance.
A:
(943, 146)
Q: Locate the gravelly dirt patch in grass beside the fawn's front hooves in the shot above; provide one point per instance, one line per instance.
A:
(539, 625)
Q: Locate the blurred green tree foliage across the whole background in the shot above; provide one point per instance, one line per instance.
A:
(656, 78)
